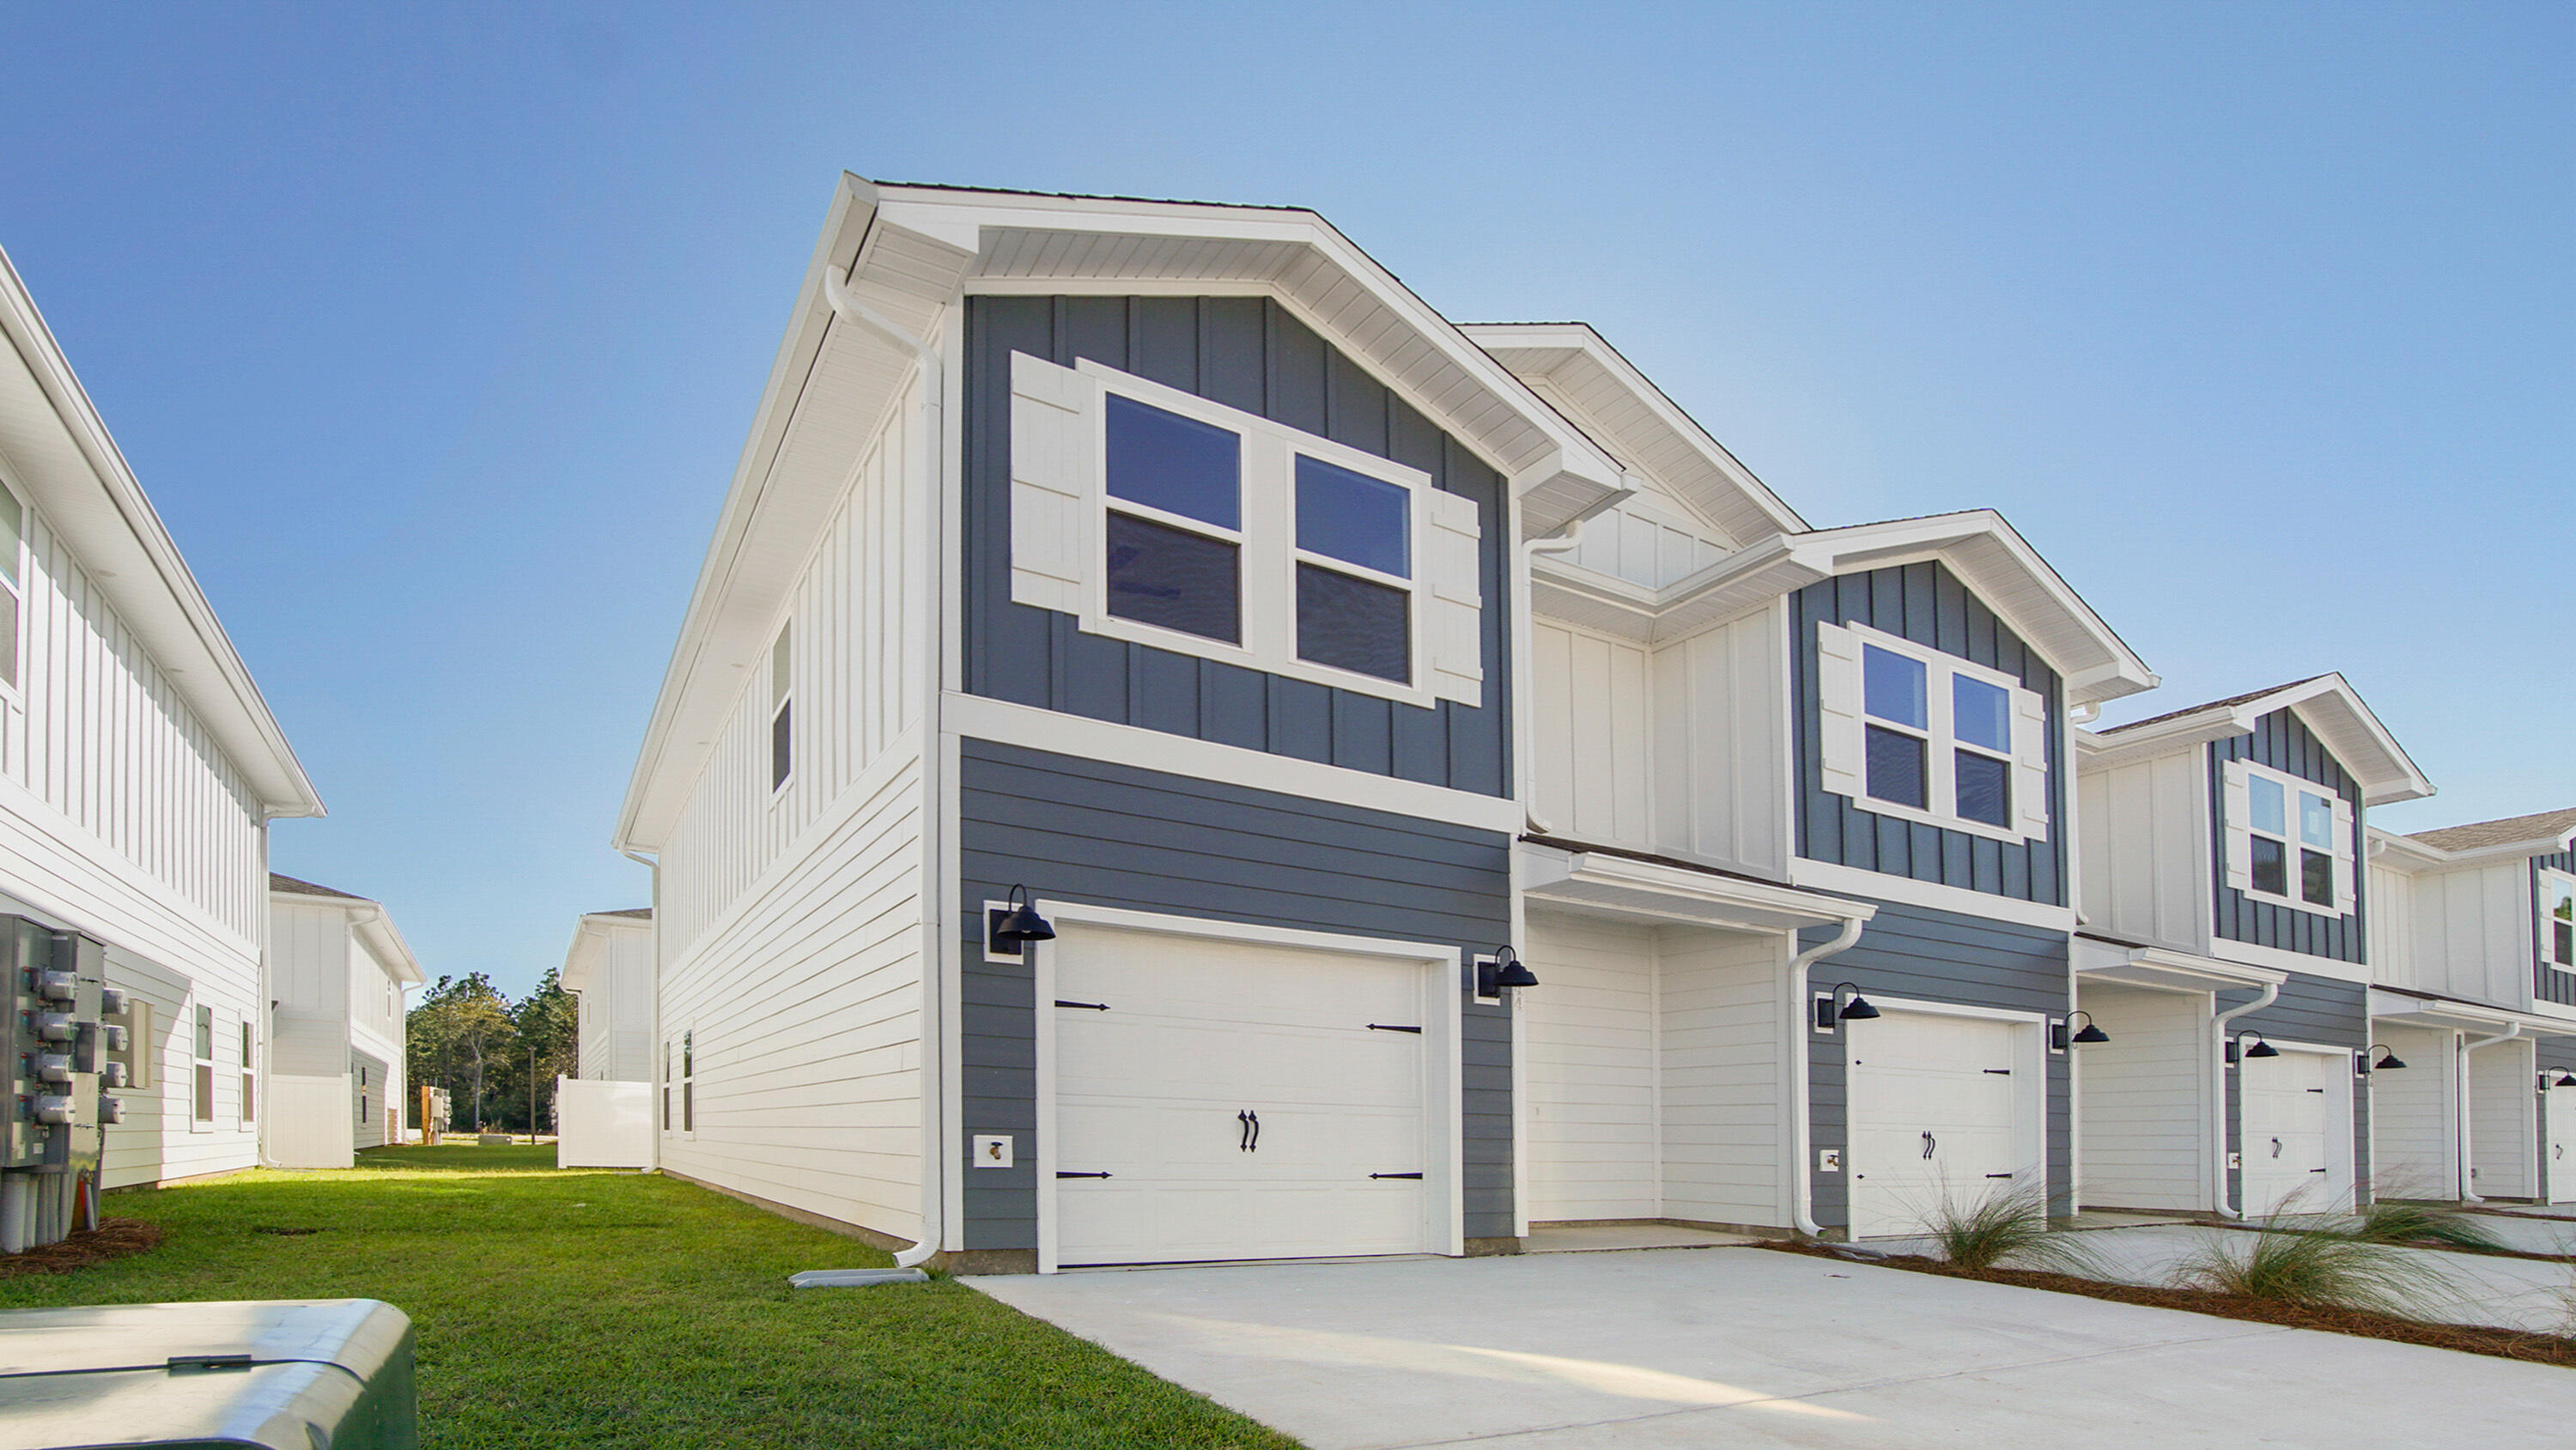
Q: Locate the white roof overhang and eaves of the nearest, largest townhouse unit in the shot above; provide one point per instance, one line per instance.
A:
(877, 297)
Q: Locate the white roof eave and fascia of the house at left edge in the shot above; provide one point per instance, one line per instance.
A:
(63, 457)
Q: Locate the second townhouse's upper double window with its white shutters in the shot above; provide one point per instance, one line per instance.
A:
(1931, 738)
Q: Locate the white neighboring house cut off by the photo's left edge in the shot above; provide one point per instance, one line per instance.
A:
(138, 769)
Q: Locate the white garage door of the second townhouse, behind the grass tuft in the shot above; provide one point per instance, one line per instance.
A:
(1936, 1111)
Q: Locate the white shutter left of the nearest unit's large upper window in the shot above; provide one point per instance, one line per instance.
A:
(1055, 439)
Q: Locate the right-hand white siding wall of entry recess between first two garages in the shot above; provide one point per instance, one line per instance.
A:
(1725, 1078)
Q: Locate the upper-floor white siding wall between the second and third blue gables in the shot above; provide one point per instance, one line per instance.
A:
(2145, 851)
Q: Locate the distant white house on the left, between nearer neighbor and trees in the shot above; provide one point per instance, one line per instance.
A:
(336, 980)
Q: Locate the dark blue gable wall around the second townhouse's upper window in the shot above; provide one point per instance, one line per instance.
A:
(1928, 607)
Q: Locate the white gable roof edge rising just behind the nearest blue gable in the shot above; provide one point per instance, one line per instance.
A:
(1583, 375)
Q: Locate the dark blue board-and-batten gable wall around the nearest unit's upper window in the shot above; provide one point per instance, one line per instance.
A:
(1240, 352)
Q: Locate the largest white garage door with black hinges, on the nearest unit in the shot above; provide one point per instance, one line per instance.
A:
(1230, 1101)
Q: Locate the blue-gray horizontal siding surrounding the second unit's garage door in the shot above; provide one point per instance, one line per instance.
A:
(1933, 957)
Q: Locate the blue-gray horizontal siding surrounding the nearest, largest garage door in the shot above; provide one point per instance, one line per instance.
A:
(1114, 836)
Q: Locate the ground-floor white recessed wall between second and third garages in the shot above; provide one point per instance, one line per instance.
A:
(2145, 1101)
